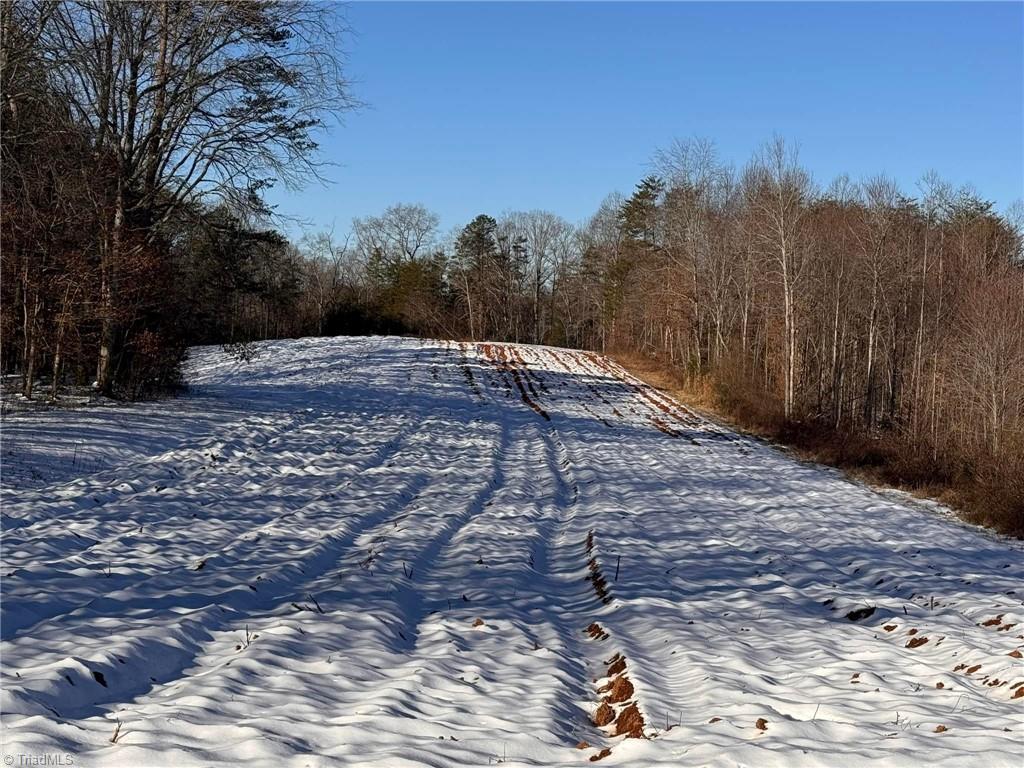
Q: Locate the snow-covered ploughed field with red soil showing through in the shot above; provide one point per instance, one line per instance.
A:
(388, 552)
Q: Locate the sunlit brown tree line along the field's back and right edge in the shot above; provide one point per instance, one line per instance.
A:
(875, 327)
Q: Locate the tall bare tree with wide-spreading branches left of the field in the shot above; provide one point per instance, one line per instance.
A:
(192, 101)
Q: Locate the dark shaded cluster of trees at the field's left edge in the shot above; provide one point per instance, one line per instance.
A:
(138, 142)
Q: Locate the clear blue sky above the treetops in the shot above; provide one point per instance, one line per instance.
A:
(482, 108)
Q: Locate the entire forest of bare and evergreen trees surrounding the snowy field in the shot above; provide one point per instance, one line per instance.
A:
(873, 326)
